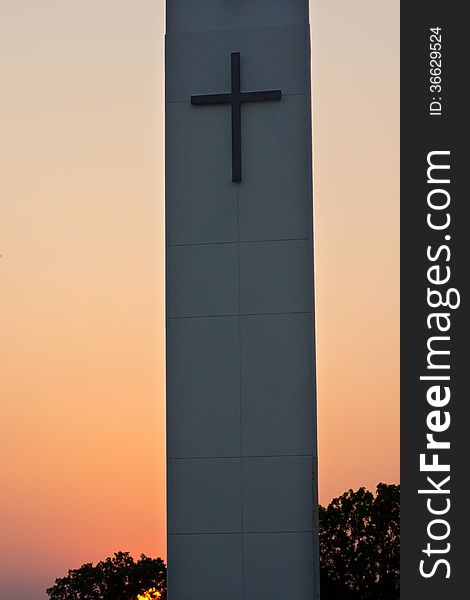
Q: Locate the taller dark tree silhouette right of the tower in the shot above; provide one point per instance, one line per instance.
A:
(360, 545)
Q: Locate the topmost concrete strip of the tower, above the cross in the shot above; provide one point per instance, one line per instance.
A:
(203, 15)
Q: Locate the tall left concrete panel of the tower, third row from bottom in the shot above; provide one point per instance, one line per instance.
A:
(203, 382)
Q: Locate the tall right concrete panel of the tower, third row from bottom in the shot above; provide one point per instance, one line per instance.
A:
(277, 364)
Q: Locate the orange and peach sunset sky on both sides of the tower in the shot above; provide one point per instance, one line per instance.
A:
(81, 273)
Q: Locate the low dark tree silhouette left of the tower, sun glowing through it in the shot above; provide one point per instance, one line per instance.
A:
(116, 578)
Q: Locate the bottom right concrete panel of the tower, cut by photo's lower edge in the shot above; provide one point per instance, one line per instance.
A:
(278, 567)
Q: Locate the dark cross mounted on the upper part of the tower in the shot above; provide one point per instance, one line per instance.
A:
(235, 98)
